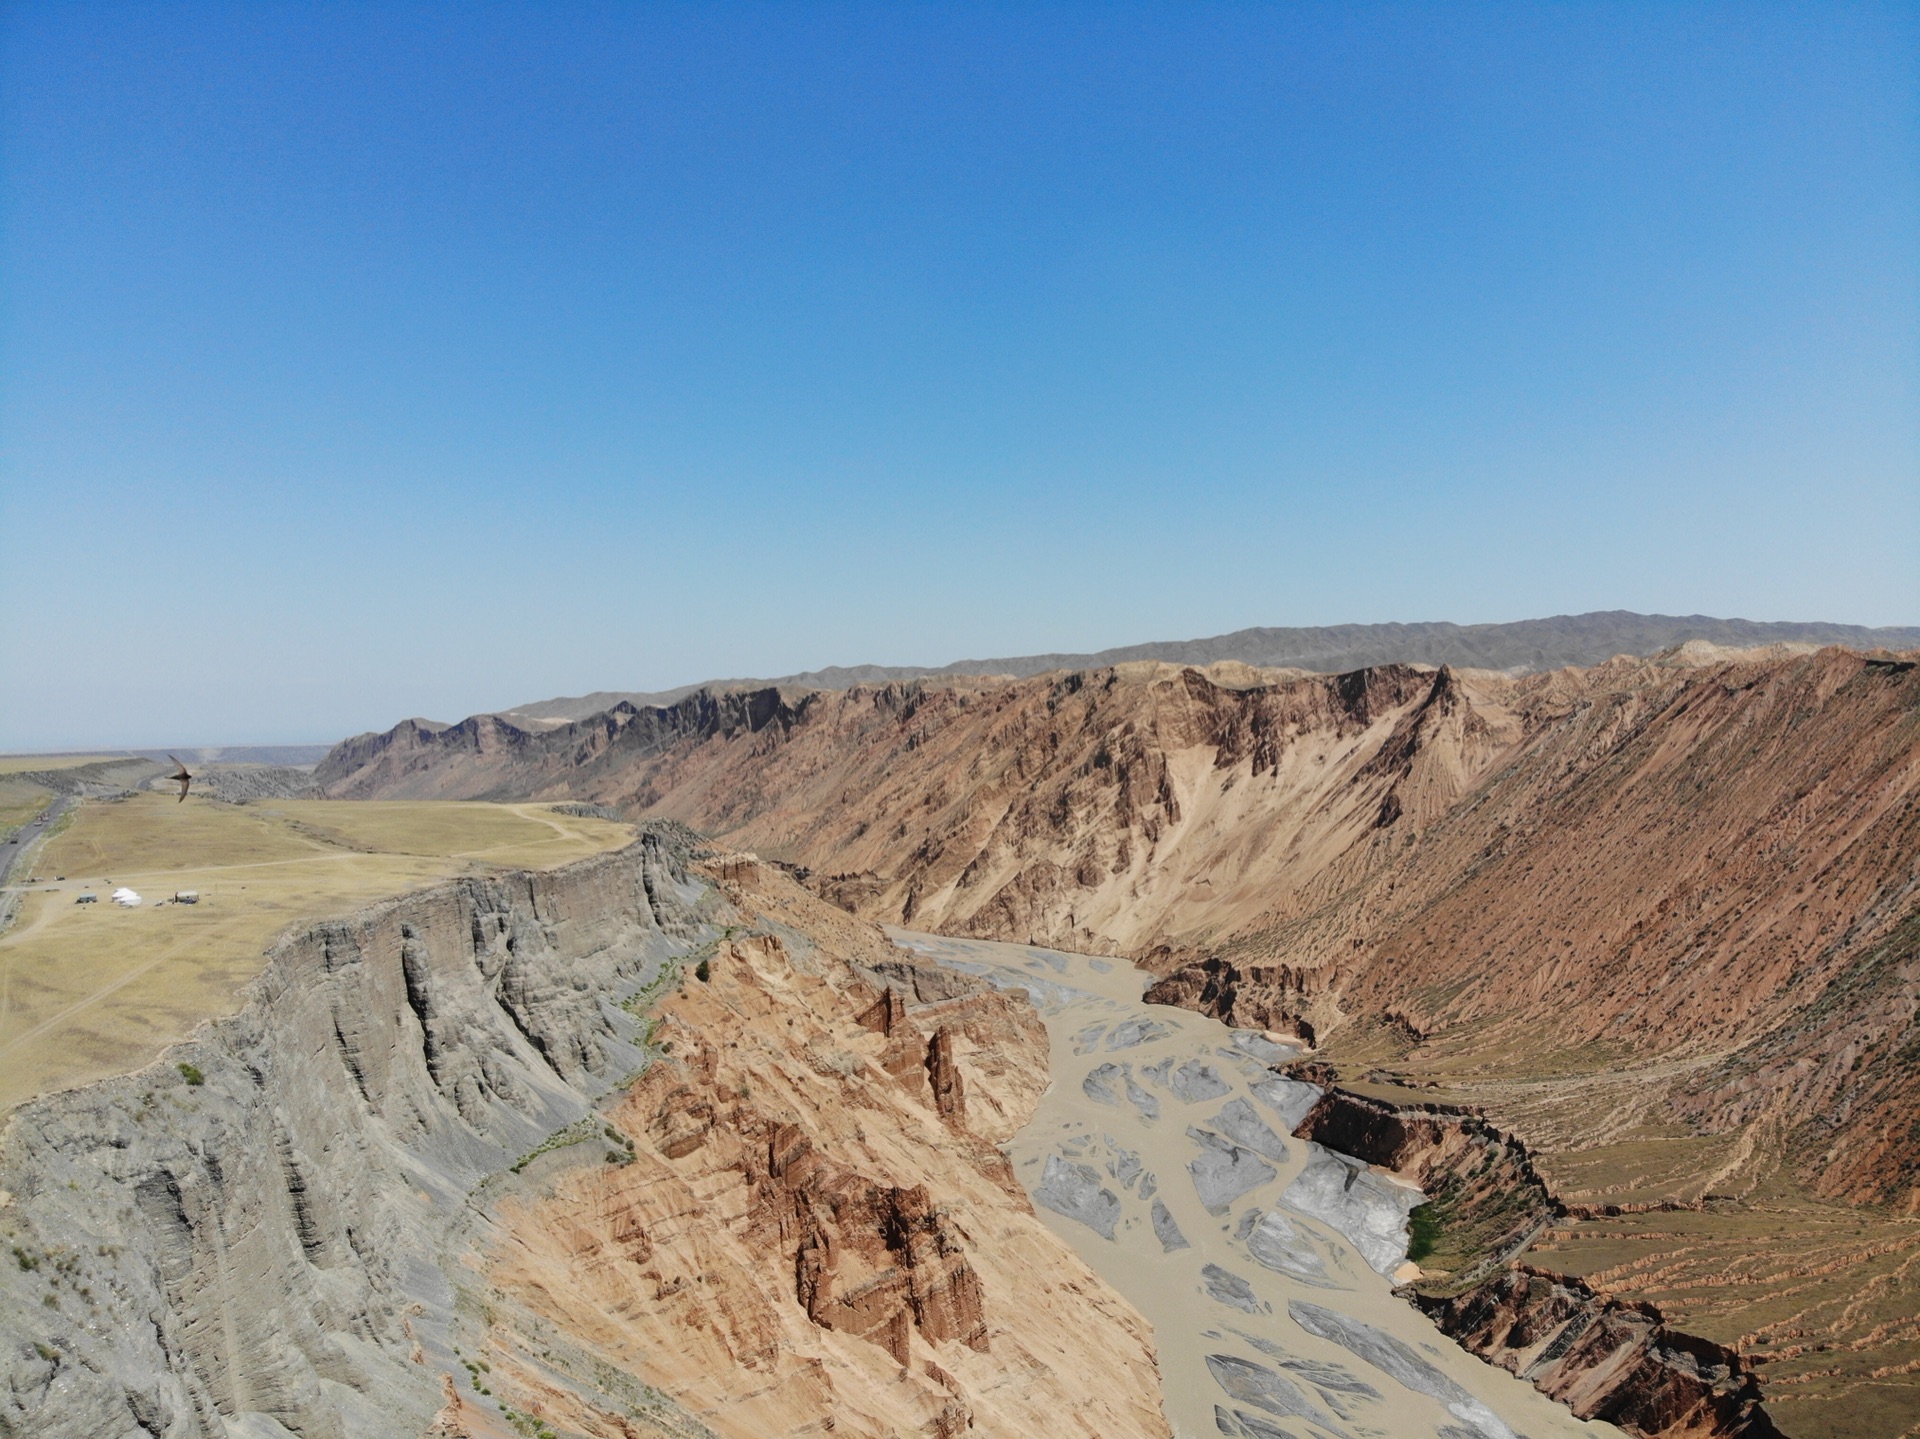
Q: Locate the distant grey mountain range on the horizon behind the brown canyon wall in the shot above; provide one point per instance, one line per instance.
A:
(1524, 646)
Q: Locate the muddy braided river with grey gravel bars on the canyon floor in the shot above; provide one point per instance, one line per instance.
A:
(1163, 1154)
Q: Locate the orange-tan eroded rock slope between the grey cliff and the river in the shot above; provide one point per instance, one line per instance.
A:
(817, 1232)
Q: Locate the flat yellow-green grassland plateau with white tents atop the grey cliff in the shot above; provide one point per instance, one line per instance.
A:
(95, 990)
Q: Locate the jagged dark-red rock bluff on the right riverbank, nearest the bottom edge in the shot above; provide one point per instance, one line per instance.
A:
(1606, 1359)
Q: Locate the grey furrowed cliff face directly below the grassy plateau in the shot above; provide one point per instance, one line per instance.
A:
(262, 1252)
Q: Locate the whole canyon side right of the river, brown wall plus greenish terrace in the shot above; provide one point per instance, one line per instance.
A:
(1656, 919)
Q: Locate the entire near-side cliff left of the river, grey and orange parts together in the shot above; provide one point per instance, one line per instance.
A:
(433, 1181)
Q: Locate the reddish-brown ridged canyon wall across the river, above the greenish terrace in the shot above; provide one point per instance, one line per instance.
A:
(1679, 858)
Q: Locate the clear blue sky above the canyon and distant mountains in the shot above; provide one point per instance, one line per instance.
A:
(362, 362)
